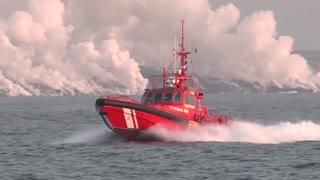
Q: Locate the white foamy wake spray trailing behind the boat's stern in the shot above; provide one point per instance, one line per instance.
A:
(244, 131)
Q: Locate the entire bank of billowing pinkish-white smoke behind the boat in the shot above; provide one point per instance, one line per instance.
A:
(71, 47)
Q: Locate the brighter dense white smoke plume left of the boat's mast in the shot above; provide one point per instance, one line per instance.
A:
(38, 57)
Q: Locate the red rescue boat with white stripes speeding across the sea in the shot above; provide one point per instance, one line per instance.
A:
(173, 100)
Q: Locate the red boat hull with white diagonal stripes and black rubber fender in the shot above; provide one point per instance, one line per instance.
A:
(129, 120)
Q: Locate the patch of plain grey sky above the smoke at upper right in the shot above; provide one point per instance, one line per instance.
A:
(299, 19)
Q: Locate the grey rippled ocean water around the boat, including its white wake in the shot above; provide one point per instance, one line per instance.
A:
(275, 136)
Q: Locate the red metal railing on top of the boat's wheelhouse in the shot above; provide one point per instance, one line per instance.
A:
(171, 79)
